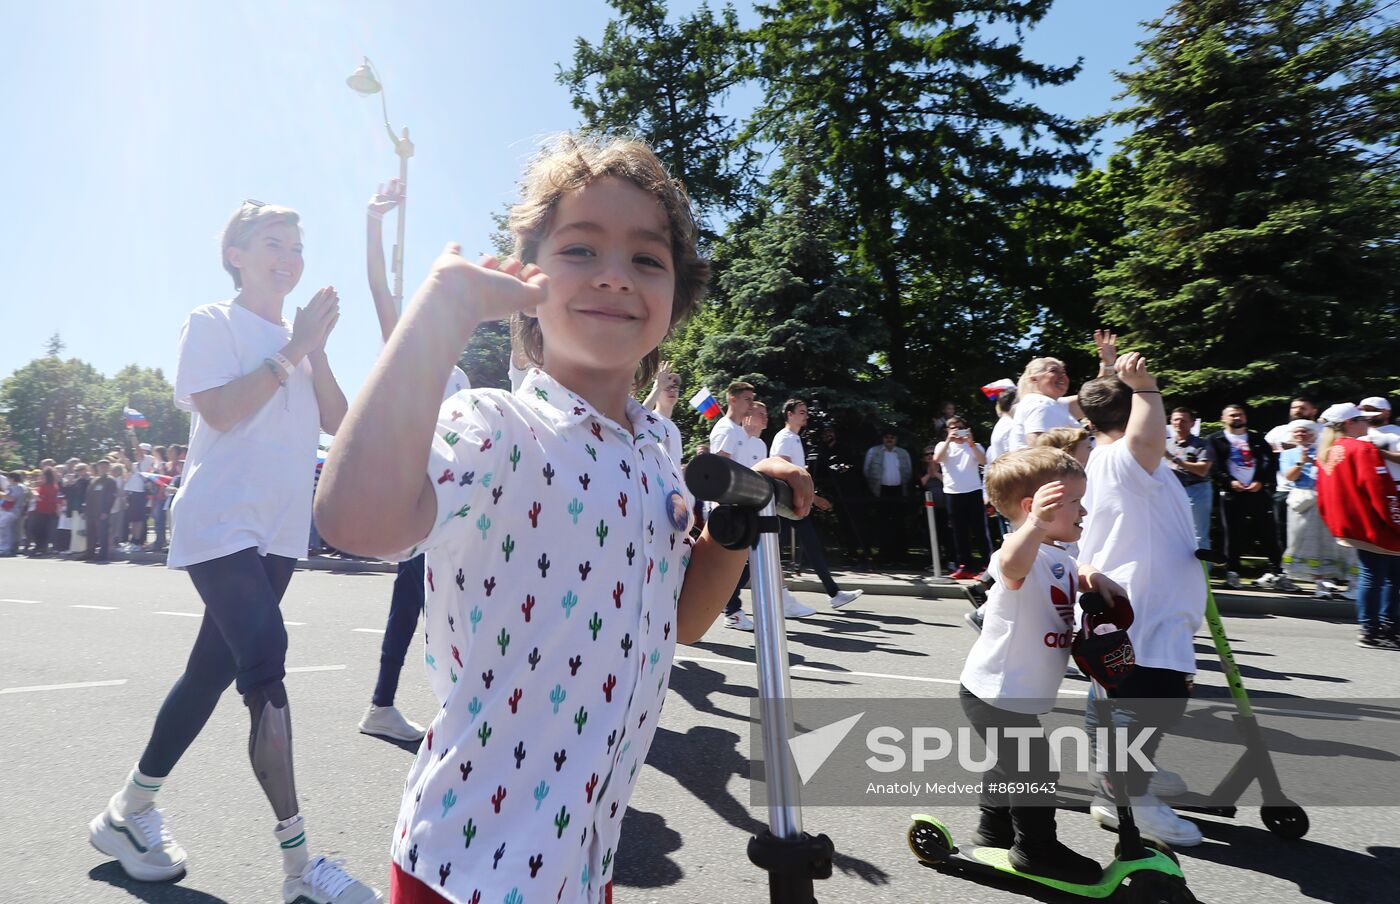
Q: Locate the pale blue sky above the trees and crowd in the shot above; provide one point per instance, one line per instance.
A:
(136, 128)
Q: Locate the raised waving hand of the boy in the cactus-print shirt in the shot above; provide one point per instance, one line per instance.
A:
(488, 290)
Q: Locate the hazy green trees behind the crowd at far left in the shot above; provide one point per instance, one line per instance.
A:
(61, 409)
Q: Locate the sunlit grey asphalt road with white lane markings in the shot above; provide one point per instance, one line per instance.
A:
(87, 654)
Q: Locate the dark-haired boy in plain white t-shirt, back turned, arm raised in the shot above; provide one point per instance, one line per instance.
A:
(1139, 531)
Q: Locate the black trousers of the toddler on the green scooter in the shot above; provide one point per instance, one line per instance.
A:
(1032, 814)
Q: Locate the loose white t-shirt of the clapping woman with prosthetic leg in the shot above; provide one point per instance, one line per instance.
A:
(250, 486)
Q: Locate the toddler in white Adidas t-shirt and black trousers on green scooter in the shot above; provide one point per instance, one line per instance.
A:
(1016, 668)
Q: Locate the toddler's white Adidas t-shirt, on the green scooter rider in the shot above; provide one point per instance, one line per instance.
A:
(1020, 657)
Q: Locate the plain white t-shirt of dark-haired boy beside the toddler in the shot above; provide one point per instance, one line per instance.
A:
(1139, 531)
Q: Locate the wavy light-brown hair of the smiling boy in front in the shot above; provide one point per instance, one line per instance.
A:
(569, 163)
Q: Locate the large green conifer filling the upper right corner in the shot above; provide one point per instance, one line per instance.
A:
(1259, 254)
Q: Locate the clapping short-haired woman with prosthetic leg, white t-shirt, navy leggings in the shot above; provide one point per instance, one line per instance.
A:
(260, 393)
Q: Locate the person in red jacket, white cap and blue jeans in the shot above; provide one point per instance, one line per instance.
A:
(1361, 507)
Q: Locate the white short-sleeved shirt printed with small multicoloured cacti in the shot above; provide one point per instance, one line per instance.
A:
(554, 576)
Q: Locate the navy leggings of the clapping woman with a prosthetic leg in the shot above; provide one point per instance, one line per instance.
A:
(241, 642)
